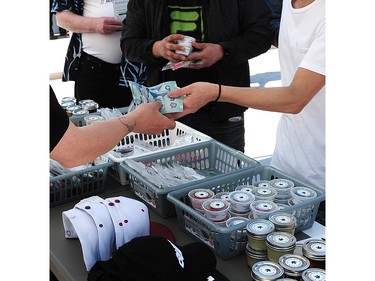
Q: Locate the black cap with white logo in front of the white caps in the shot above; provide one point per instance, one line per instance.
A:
(151, 258)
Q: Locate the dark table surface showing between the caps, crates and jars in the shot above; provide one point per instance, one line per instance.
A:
(66, 259)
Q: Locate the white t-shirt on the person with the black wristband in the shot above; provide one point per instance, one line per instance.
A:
(300, 144)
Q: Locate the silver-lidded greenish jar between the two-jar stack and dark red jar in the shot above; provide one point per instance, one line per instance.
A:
(278, 244)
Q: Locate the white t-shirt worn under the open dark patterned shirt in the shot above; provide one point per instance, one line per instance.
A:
(105, 47)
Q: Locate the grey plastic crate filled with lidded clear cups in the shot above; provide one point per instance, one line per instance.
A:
(228, 242)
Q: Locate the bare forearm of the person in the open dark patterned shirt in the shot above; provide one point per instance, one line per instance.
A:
(76, 23)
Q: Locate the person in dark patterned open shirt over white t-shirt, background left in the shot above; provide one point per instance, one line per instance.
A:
(94, 59)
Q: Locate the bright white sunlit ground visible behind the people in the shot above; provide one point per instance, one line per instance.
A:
(260, 125)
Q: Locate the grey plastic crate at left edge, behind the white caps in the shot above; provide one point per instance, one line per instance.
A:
(77, 185)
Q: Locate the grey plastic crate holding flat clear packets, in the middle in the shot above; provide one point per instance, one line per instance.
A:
(210, 158)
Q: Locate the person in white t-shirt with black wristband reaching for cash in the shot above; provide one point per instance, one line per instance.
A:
(300, 143)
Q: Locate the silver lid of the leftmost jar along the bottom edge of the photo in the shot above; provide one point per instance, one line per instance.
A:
(266, 271)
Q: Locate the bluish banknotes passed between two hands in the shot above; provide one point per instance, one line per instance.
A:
(143, 94)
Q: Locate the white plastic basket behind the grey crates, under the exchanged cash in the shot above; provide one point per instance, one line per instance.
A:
(166, 140)
